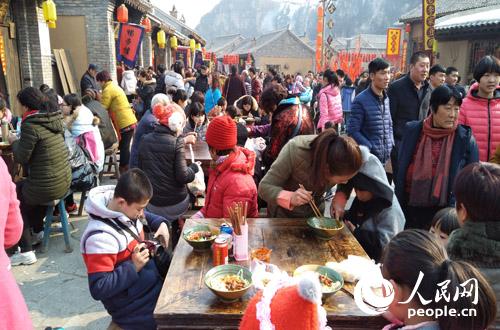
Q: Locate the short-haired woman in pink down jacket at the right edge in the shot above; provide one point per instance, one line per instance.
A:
(481, 108)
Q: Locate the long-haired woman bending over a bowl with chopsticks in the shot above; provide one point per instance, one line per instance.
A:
(307, 167)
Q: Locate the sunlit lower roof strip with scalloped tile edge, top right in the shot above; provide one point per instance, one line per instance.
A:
(480, 17)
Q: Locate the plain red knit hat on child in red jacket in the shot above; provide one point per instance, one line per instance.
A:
(221, 133)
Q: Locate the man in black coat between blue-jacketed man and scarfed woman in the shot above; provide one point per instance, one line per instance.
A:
(405, 97)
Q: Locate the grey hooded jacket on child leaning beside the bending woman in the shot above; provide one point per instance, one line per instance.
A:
(380, 219)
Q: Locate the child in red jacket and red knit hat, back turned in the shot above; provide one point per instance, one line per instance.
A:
(232, 178)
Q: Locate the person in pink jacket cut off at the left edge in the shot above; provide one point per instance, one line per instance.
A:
(13, 311)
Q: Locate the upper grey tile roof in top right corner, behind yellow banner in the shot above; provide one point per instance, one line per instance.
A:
(445, 7)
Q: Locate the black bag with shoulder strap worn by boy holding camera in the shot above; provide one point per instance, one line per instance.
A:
(162, 257)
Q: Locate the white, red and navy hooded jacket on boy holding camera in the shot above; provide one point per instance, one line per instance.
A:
(128, 296)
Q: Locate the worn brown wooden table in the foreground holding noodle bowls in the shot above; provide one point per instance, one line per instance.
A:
(186, 303)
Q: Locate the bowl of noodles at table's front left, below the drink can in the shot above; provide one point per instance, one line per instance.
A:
(229, 282)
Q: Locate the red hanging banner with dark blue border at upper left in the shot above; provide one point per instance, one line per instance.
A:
(129, 43)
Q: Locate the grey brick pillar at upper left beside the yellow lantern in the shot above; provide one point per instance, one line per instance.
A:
(33, 43)
